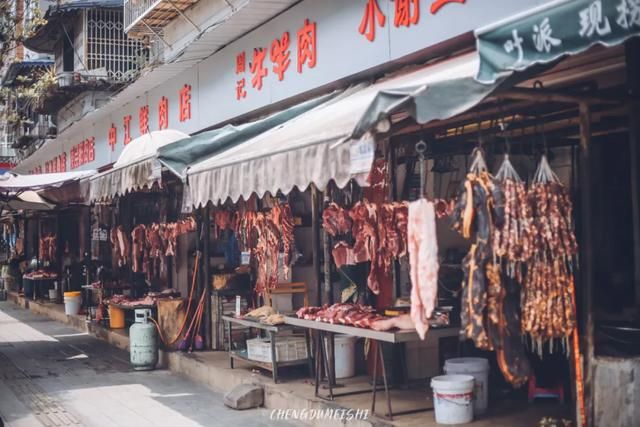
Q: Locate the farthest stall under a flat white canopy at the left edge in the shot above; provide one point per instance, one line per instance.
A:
(42, 205)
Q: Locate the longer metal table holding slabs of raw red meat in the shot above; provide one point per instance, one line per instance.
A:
(322, 357)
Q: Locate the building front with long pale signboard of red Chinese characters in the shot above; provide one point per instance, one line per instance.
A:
(217, 62)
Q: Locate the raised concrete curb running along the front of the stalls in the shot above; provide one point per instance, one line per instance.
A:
(217, 378)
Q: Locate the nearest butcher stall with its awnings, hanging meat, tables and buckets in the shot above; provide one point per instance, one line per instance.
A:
(441, 219)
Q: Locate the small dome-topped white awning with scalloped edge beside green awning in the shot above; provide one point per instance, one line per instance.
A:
(136, 168)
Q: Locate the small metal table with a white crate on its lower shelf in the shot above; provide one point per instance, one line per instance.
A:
(272, 331)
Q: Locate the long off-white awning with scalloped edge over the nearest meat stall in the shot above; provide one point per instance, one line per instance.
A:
(333, 141)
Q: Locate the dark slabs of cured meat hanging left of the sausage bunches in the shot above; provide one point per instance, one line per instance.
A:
(489, 315)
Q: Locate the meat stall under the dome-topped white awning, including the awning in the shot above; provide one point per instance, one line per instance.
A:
(140, 239)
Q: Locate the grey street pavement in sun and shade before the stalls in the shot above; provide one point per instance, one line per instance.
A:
(52, 375)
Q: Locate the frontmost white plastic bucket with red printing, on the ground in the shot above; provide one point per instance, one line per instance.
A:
(453, 398)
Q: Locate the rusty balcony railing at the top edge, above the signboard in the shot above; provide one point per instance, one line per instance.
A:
(147, 17)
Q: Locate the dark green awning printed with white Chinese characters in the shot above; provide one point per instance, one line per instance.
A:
(556, 29)
